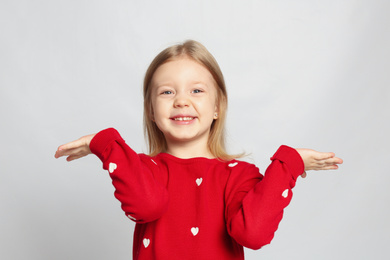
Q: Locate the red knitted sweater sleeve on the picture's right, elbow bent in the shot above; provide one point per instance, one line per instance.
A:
(255, 203)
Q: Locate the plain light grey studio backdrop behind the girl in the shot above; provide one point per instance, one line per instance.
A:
(303, 73)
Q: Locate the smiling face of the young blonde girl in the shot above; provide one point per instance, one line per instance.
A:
(184, 101)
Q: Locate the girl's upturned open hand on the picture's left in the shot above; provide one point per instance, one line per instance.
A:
(76, 149)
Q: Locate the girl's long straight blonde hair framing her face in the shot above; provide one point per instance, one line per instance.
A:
(196, 51)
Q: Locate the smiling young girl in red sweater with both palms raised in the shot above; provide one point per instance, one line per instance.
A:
(189, 198)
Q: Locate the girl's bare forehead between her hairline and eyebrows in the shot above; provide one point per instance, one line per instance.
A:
(182, 69)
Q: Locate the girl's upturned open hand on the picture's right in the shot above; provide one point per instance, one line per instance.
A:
(314, 160)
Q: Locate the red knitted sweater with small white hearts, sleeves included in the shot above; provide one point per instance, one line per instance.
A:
(197, 208)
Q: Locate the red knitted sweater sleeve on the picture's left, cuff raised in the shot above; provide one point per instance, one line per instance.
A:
(142, 197)
